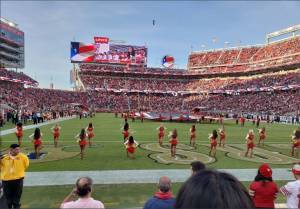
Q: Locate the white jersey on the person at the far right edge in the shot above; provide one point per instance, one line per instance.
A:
(291, 190)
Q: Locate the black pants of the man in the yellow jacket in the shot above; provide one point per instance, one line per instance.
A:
(12, 192)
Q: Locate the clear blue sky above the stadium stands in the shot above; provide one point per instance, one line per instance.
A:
(49, 26)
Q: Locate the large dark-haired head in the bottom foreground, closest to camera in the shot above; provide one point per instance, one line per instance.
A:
(213, 189)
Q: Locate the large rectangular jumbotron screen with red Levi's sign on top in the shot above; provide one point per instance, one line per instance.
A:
(102, 51)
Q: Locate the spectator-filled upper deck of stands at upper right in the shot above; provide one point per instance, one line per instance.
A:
(247, 58)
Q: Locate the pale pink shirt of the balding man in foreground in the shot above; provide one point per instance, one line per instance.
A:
(83, 203)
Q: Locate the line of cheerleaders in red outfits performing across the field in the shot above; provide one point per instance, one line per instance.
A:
(131, 145)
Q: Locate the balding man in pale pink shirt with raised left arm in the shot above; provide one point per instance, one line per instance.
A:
(83, 190)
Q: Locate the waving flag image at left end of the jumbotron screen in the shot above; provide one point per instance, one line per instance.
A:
(81, 52)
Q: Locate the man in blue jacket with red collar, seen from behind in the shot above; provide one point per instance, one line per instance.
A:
(163, 198)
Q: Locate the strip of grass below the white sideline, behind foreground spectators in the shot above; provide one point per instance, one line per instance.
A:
(113, 196)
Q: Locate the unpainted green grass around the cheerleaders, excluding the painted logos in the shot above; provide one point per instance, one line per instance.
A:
(109, 154)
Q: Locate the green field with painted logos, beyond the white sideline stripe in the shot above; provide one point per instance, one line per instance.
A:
(108, 152)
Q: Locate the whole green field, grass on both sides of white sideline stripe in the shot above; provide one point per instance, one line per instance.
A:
(108, 153)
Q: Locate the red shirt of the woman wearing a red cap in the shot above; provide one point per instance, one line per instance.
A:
(264, 194)
